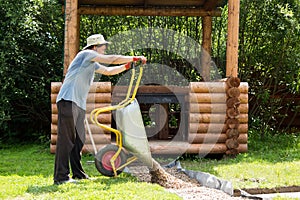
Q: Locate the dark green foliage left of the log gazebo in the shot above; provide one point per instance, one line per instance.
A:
(31, 38)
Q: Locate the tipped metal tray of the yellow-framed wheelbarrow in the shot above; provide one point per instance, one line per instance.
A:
(130, 122)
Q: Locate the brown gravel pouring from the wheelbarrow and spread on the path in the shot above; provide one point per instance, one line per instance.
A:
(177, 182)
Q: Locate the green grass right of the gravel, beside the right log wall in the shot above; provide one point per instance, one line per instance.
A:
(271, 161)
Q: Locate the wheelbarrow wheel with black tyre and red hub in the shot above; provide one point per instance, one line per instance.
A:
(102, 160)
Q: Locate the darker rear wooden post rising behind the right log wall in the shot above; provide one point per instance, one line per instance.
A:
(206, 47)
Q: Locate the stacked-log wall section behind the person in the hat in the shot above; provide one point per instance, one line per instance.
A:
(99, 96)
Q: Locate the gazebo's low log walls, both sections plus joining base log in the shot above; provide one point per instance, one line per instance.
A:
(217, 118)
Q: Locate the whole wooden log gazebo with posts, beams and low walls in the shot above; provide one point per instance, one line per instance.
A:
(218, 111)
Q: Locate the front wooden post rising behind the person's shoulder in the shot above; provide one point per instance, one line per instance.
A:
(72, 20)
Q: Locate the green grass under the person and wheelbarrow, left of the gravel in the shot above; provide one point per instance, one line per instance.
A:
(26, 172)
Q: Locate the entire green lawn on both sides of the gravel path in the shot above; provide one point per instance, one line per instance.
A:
(26, 172)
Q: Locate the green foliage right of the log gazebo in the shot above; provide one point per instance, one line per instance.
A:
(269, 58)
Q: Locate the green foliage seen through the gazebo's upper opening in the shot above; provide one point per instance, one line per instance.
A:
(164, 32)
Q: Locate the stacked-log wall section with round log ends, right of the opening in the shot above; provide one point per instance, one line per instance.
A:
(218, 119)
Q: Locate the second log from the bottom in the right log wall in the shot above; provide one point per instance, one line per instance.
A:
(211, 138)
